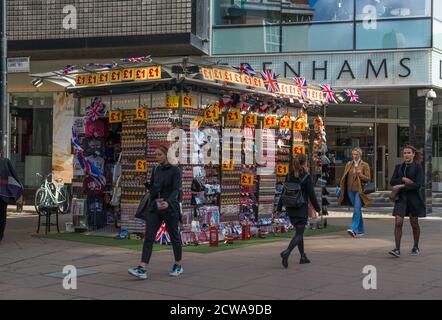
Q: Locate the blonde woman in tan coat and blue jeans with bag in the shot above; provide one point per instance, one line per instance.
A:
(352, 191)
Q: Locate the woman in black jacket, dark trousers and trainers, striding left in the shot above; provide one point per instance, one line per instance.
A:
(163, 205)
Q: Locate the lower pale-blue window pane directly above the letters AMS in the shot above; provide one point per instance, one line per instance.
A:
(394, 34)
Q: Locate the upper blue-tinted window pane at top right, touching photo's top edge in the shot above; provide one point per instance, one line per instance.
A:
(367, 9)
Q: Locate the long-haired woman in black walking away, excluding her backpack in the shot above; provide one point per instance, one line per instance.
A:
(299, 216)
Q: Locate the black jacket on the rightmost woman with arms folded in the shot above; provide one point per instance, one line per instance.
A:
(410, 197)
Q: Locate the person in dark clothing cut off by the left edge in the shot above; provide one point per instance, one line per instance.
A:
(11, 191)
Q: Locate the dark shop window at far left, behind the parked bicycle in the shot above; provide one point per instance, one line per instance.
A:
(31, 136)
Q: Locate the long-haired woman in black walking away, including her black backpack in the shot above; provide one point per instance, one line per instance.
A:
(296, 203)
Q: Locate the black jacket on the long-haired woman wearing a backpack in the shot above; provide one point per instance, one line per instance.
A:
(309, 194)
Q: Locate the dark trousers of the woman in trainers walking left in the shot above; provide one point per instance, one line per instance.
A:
(153, 224)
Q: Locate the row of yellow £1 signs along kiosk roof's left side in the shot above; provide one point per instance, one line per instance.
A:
(117, 76)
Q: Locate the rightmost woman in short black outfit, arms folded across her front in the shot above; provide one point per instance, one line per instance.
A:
(407, 181)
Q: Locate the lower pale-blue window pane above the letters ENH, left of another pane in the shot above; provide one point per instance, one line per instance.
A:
(316, 37)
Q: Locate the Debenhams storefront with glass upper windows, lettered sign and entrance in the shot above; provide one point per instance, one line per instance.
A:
(393, 64)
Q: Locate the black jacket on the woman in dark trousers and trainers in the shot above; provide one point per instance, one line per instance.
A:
(165, 183)
